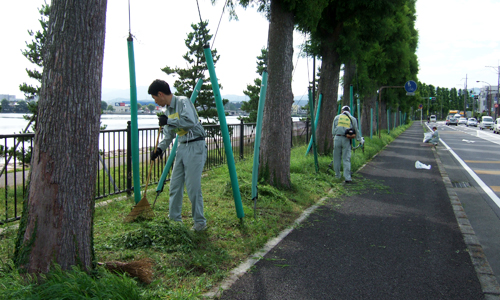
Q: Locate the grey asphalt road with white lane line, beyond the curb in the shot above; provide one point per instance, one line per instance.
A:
(478, 150)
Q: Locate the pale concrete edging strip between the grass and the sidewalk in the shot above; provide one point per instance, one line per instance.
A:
(254, 258)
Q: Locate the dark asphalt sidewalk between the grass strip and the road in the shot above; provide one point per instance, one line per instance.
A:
(401, 239)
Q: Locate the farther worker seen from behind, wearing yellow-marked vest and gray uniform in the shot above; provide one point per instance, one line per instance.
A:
(341, 144)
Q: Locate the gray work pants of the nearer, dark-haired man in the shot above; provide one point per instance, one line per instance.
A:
(189, 162)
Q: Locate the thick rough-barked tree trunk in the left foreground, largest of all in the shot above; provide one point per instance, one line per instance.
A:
(57, 224)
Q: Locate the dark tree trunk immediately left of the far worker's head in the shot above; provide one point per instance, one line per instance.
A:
(328, 86)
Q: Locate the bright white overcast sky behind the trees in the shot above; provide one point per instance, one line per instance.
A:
(457, 38)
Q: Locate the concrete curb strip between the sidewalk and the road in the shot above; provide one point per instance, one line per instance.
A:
(487, 279)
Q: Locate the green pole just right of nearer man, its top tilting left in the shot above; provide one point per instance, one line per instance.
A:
(225, 133)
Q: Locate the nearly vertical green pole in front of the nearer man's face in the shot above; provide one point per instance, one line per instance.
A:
(133, 121)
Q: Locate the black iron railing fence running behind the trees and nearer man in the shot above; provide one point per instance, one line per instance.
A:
(115, 160)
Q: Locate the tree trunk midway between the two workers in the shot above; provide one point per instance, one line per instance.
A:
(276, 123)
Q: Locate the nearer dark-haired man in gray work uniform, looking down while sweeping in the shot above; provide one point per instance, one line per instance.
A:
(181, 119)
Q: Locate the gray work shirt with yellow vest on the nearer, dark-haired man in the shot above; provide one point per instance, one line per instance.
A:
(182, 121)
